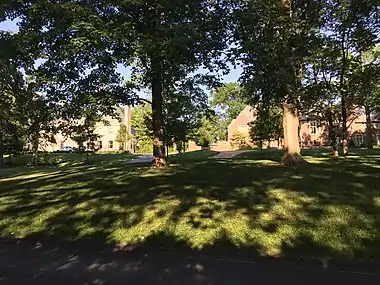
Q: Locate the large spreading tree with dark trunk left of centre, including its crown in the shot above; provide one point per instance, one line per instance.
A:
(161, 40)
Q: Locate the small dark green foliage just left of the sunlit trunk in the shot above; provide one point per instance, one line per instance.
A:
(267, 126)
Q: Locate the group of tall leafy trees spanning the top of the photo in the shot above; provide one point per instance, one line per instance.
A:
(298, 55)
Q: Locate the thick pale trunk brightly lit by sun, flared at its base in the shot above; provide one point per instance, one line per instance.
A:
(292, 155)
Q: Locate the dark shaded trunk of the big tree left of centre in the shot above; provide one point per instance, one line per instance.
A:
(159, 155)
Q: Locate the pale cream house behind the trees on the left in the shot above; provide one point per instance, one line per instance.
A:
(107, 131)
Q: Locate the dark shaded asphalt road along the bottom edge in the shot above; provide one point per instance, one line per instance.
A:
(25, 263)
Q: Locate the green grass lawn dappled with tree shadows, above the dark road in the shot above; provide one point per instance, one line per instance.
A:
(248, 205)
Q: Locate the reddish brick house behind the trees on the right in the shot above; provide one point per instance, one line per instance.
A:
(313, 132)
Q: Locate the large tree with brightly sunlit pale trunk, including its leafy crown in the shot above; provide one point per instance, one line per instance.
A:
(274, 38)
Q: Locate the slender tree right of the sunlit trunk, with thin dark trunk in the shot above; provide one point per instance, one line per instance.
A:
(350, 27)
